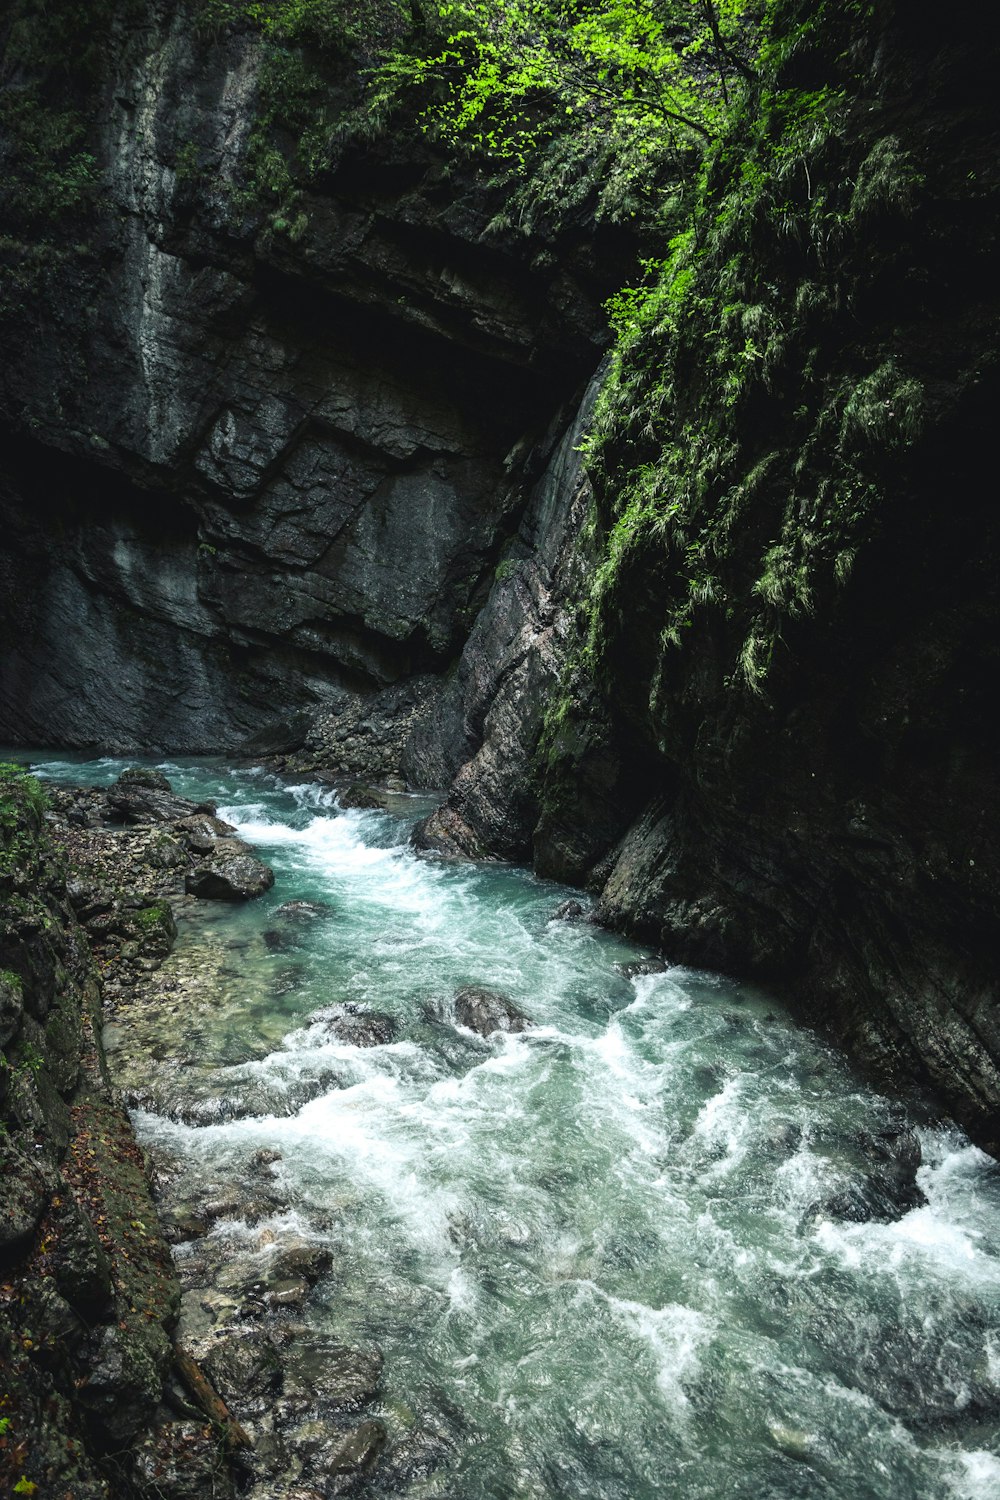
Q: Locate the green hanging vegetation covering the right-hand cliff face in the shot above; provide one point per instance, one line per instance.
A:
(738, 457)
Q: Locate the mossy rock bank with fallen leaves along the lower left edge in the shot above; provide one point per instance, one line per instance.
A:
(88, 1288)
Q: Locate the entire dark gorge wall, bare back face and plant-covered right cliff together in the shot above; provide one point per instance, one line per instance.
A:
(310, 469)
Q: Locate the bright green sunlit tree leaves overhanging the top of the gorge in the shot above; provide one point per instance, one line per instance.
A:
(507, 77)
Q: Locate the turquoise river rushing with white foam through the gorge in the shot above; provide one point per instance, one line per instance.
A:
(603, 1256)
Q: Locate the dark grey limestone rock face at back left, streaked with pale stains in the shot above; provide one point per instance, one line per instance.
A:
(293, 461)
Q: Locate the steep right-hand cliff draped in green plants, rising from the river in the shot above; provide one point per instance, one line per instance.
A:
(765, 739)
